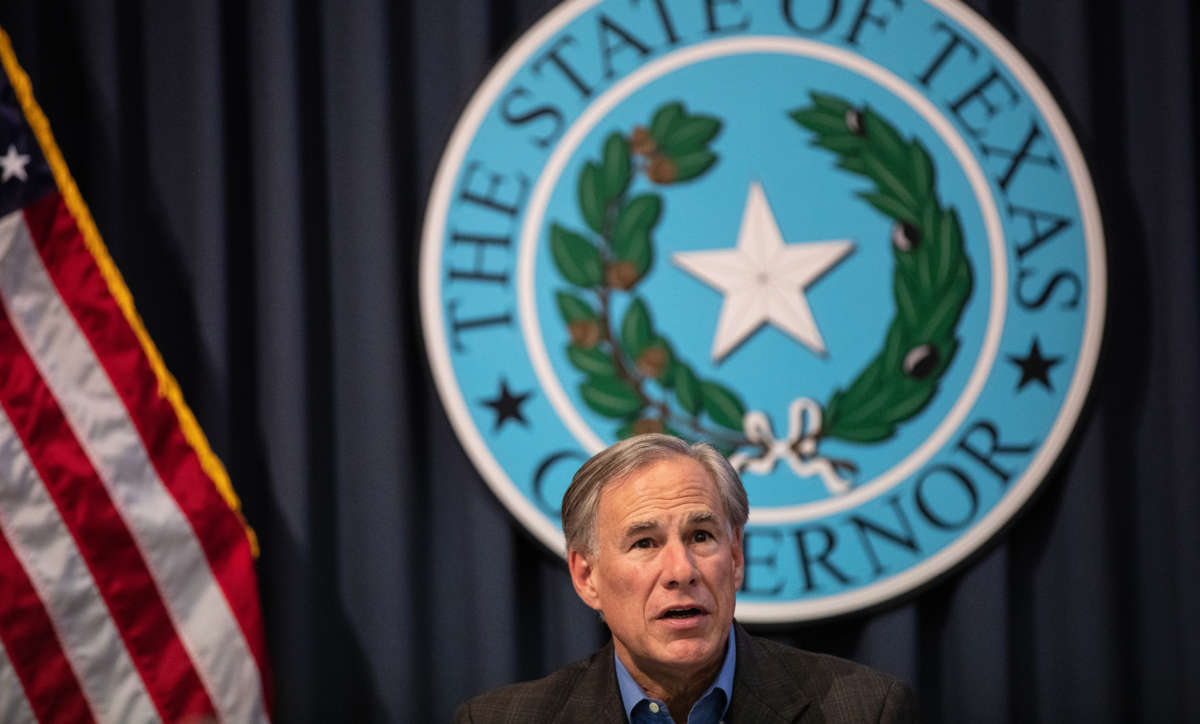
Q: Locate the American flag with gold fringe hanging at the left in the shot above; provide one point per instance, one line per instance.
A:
(128, 588)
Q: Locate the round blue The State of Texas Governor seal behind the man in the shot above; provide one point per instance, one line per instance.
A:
(854, 246)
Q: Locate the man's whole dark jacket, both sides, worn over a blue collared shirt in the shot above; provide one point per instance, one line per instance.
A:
(772, 684)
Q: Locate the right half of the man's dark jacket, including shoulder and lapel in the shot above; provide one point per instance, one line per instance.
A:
(781, 684)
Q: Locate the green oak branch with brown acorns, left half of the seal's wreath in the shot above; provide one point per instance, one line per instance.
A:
(609, 260)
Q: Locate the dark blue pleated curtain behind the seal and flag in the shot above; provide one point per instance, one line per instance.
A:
(260, 172)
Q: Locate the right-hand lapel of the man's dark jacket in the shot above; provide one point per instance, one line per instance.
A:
(763, 691)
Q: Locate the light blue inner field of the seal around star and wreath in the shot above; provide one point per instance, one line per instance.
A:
(812, 201)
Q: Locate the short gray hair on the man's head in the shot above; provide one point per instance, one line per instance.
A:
(617, 463)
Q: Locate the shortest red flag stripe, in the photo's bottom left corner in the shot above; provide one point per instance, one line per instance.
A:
(34, 649)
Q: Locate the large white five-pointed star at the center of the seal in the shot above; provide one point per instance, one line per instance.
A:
(764, 279)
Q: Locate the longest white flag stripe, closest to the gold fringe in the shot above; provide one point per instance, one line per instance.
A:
(94, 410)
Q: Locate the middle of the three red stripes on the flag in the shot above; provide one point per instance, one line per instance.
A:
(101, 536)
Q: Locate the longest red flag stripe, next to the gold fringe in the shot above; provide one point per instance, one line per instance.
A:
(219, 530)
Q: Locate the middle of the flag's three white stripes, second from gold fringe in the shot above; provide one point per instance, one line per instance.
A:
(44, 546)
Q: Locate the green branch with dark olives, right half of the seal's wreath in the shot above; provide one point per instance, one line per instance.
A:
(932, 278)
